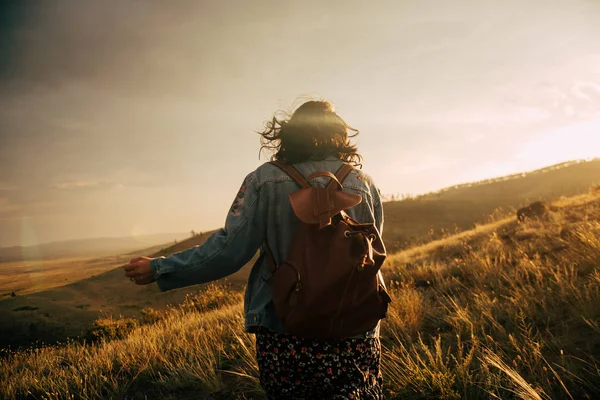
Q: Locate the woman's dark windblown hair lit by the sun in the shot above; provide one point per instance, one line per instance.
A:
(314, 131)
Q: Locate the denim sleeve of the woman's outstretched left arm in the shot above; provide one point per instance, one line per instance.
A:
(225, 251)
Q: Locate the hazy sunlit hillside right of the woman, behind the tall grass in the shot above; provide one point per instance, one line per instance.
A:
(413, 221)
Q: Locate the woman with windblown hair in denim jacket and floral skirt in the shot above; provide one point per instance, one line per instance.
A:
(314, 138)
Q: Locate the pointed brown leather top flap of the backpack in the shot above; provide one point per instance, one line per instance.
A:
(316, 205)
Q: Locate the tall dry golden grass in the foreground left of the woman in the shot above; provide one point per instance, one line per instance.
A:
(170, 354)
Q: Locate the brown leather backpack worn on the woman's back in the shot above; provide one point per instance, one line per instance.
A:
(329, 286)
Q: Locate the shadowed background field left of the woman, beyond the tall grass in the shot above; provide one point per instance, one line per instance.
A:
(67, 308)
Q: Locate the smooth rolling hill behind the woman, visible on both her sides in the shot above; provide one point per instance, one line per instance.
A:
(54, 314)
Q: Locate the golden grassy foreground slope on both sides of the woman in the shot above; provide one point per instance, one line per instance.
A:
(504, 311)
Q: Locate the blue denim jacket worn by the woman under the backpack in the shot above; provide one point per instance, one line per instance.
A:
(261, 212)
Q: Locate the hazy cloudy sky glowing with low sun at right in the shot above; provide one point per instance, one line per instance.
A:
(131, 117)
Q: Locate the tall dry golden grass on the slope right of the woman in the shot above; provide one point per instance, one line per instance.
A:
(512, 314)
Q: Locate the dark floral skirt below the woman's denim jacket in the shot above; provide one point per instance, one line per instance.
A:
(293, 367)
